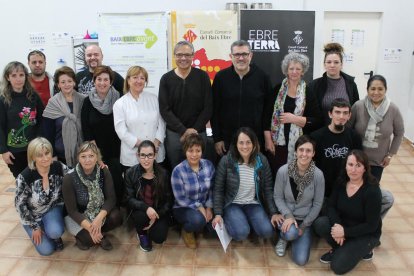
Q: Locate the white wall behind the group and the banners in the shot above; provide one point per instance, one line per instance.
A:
(18, 18)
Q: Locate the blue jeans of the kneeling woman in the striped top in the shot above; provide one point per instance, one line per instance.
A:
(239, 218)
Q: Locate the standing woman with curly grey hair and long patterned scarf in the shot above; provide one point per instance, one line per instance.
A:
(291, 112)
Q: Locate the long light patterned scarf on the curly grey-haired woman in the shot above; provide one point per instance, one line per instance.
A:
(277, 128)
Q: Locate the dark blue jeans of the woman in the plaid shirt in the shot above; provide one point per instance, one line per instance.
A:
(190, 219)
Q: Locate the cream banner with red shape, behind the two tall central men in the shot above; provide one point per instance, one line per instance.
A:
(210, 32)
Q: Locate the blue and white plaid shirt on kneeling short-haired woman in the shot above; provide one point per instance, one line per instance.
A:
(193, 189)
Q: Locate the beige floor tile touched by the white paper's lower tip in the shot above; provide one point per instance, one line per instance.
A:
(212, 256)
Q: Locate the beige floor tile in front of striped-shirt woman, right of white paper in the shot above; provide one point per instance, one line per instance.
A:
(248, 257)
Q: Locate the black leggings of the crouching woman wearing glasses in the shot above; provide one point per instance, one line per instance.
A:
(158, 231)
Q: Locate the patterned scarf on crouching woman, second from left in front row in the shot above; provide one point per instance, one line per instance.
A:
(96, 196)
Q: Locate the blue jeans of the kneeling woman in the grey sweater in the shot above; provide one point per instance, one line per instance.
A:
(300, 244)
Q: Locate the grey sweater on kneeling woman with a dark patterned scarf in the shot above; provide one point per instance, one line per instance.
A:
(308, 208)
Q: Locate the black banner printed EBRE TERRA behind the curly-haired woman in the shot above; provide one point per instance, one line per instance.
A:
(276, 34)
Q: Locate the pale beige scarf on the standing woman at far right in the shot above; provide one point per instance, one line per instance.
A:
(375, 116)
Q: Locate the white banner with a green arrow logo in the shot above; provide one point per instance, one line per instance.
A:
(135, 39)
